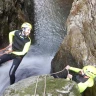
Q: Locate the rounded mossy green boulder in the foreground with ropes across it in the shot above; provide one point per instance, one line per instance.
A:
(43, 86)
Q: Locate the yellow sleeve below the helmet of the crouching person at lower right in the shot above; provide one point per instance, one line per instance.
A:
(83, 86)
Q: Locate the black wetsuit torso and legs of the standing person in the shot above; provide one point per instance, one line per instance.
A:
(19, 41)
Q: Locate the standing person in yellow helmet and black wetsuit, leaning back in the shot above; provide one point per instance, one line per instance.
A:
(19, 45)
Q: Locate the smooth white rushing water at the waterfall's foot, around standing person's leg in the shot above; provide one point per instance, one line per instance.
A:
(29, 67)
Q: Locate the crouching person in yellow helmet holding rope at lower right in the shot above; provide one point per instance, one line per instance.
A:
(84, 77)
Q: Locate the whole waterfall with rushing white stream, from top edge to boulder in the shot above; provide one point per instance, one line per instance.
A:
(50, 20)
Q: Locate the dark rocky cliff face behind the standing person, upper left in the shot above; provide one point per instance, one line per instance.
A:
(12, 14)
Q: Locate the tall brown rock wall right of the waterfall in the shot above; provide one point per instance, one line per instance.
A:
(79, 46)
